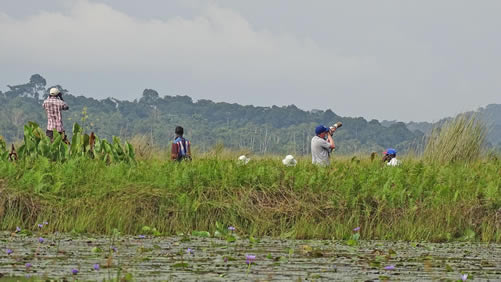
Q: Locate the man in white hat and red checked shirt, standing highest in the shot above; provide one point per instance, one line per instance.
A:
(54, 105)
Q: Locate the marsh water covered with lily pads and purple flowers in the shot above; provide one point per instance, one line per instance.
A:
(145, 258)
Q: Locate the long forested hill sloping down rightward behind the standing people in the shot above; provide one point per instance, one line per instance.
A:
(273, 129)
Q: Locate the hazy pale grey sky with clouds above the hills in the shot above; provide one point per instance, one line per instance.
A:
(404, 60)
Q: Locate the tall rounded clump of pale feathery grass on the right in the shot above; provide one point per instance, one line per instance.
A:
(461, 139)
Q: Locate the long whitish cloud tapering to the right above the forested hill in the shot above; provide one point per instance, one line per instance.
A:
(218, 43)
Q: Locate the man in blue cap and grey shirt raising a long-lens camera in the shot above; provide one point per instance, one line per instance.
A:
(321, 148)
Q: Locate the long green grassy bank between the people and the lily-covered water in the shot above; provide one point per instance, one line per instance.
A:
(417, 201)
